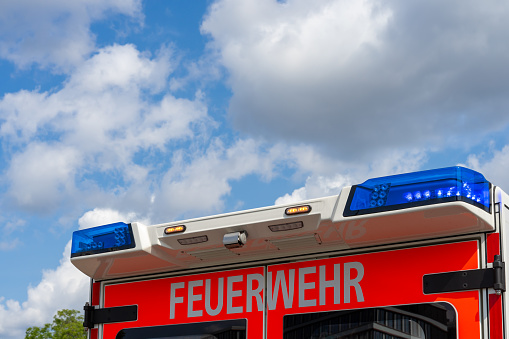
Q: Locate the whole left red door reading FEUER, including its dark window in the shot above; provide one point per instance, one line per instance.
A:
(227, 304)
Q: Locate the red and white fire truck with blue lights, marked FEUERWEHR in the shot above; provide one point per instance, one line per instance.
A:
(415, 255)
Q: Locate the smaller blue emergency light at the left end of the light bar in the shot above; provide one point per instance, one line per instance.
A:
(107, 238)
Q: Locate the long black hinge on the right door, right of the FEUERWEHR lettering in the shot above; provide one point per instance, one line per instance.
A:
(467, 280)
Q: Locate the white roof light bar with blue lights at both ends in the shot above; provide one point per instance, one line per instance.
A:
(320, 226)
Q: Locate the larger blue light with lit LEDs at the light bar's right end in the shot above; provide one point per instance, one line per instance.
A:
(419, 189)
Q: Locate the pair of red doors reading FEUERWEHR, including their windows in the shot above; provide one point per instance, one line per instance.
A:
(371, 295)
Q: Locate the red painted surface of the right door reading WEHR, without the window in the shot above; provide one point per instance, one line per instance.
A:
(371, 280)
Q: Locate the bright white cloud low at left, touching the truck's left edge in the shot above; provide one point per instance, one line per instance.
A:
(63, 287)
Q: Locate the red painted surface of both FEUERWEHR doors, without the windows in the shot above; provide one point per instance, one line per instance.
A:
(349, 282)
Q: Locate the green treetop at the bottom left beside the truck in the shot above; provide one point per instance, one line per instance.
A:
(67, 324)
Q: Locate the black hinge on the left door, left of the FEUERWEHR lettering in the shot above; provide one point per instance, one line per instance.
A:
(94, 316)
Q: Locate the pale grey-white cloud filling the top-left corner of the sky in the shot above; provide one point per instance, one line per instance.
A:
(54, 33)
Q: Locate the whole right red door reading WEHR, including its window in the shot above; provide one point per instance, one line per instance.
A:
(375, 295)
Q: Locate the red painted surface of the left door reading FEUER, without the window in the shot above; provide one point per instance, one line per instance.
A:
(192, 298)
